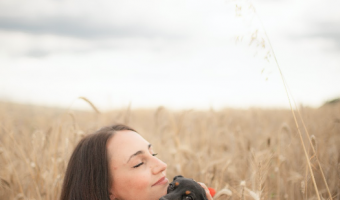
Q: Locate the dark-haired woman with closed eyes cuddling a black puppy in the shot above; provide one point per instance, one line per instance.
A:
(115, 163)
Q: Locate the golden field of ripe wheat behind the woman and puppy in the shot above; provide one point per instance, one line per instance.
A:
(244, 154)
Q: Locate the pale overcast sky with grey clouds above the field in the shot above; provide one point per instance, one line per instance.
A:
(181, 54)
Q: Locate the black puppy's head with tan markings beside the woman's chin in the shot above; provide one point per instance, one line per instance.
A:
(184, 189)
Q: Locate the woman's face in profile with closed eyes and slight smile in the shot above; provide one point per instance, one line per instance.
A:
(136, 172)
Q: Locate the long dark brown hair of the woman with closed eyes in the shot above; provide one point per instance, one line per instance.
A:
(87, 175)
